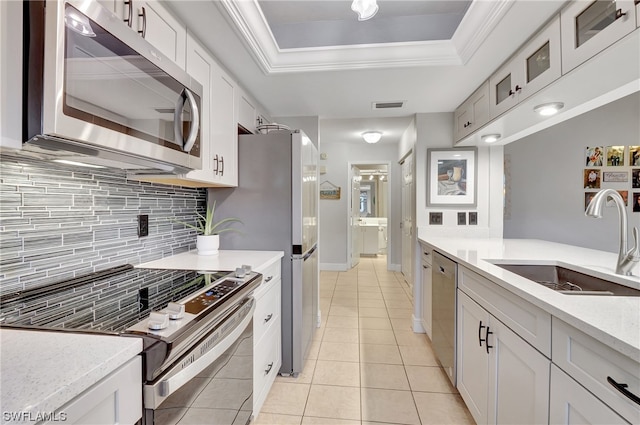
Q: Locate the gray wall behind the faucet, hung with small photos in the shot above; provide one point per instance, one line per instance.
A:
(544, 175)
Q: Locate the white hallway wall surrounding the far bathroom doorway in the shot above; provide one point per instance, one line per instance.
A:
(334, 214)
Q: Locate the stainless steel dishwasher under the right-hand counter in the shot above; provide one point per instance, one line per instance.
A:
(444, 312)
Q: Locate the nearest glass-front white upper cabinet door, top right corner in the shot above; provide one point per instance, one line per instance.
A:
(590, 27)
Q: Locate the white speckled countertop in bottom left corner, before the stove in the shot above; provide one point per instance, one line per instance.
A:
(42, 371)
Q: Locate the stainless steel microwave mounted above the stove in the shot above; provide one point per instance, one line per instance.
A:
(95, 92)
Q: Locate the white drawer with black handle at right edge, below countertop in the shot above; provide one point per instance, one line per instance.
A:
(591, 362)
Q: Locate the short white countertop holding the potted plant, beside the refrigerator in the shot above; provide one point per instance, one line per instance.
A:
(225, 260)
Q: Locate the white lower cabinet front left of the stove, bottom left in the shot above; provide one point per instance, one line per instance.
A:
(117, 399)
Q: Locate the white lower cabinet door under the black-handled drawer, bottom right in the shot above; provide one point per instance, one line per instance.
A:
(572, 404)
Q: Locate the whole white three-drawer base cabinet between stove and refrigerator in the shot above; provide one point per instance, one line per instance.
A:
(267, 334)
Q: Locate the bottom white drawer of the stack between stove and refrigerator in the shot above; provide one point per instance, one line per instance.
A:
(266, 364)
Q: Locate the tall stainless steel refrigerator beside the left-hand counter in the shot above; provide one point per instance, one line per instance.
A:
(277, 201)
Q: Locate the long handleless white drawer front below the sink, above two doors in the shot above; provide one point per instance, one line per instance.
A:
(531, 323)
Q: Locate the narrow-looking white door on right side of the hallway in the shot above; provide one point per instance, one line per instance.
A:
(407, 219)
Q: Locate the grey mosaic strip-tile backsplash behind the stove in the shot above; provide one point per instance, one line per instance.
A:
(58, 222)
